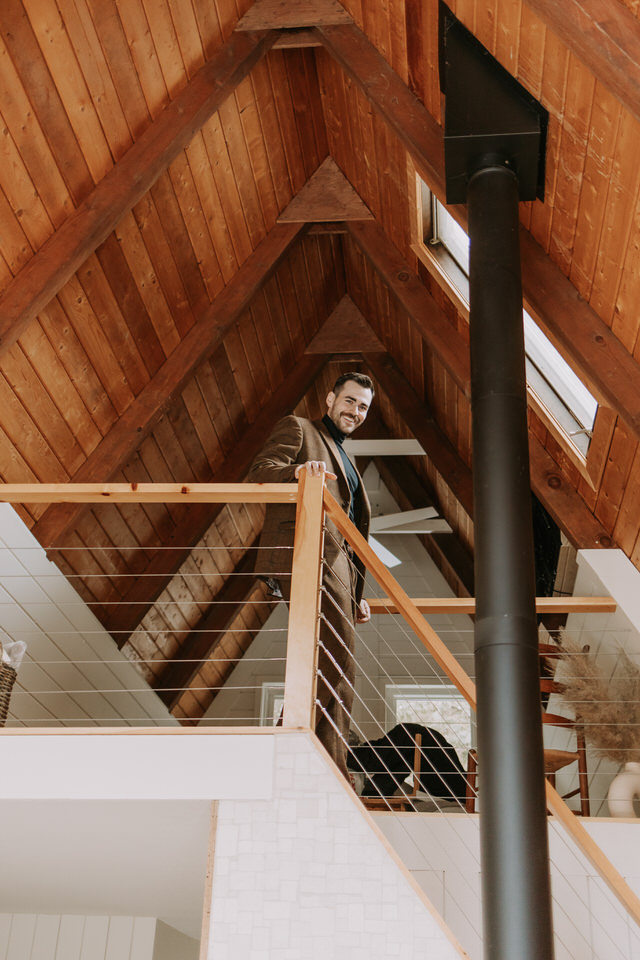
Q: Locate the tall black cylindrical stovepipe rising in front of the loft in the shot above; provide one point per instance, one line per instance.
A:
(513, 828)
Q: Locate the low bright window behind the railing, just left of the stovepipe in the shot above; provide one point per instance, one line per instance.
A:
(439, 706)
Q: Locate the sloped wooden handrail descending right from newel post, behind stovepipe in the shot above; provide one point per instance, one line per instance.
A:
(408, 609)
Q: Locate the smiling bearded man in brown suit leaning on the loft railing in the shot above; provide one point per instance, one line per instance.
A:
(298, 444)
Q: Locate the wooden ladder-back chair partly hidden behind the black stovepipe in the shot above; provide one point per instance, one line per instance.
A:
(554, 760)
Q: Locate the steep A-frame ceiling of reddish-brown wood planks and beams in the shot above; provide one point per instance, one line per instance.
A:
(172, 275)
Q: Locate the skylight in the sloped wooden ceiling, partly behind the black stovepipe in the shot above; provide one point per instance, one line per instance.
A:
(549, 378)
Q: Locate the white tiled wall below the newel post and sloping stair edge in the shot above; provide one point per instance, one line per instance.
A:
(306, 875)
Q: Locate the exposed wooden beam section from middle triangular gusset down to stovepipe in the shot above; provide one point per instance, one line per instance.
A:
(406, 286)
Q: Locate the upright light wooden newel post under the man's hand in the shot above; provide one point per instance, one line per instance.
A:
(304, 606)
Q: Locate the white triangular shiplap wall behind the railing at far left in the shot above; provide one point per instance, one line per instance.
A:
(73, 673)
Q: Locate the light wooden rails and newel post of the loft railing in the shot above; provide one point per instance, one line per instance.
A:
(313, 504)
